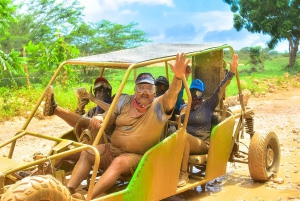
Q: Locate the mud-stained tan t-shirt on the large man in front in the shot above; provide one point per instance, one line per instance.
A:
(137, 134)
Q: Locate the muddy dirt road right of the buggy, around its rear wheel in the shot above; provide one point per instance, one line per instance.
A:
(279, 112)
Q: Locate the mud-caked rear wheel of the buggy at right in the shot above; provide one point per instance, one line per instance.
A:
(264, 156)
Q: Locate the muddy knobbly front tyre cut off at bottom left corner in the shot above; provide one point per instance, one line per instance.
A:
(37, 188)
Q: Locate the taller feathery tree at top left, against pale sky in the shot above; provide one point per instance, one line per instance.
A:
(41, 20)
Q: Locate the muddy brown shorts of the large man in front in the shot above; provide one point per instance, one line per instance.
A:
(112, 152)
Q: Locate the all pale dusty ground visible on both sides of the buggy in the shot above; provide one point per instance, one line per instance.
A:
(279, 112)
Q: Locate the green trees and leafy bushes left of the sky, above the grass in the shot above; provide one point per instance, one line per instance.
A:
(35, 42)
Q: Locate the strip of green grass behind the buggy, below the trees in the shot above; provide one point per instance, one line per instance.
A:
(19, 102)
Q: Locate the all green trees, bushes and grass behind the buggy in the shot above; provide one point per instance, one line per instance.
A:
(35, 42)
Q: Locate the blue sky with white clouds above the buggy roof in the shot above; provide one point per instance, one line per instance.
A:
(178, 21)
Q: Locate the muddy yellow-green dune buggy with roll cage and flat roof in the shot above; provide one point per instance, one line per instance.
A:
(157, 174)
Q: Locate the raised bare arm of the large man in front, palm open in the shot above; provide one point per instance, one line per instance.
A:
(179, 69)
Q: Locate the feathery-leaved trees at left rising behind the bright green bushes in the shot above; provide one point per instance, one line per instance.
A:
(44, 18)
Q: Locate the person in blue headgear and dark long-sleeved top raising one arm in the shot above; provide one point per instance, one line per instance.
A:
(200, 119)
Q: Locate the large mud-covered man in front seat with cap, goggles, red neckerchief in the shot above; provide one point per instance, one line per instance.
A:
(135, 117)
